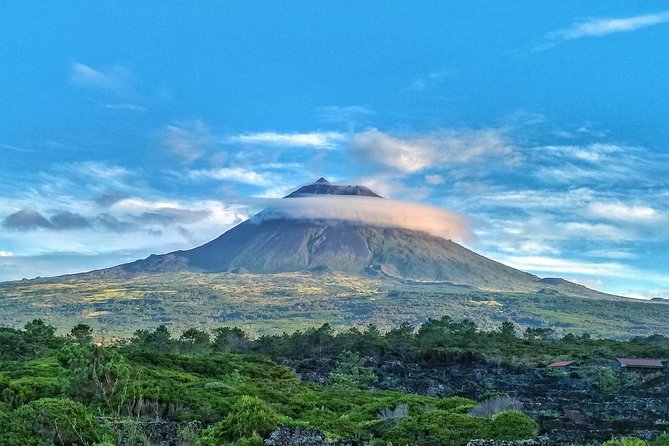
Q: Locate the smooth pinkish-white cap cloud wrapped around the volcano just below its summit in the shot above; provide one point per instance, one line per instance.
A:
(370, 211)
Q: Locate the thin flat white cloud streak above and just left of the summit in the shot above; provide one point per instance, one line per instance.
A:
(316, 140)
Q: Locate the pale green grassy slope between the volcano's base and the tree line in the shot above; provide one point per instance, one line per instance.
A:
(266, 304)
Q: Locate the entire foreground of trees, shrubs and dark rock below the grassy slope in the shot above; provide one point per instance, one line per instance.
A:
(446, 382)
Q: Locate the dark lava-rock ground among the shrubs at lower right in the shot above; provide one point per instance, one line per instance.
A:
(570, 410)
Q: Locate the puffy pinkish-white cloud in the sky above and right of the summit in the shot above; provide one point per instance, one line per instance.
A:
(414, 154)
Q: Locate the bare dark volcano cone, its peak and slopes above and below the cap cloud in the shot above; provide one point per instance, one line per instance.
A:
(269, 243)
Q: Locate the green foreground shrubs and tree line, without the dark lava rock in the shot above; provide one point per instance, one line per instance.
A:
(223, 388)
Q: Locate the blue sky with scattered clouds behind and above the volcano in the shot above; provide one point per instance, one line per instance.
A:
(129, 129)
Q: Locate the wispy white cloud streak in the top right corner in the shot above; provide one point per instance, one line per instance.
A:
(605, 26)
